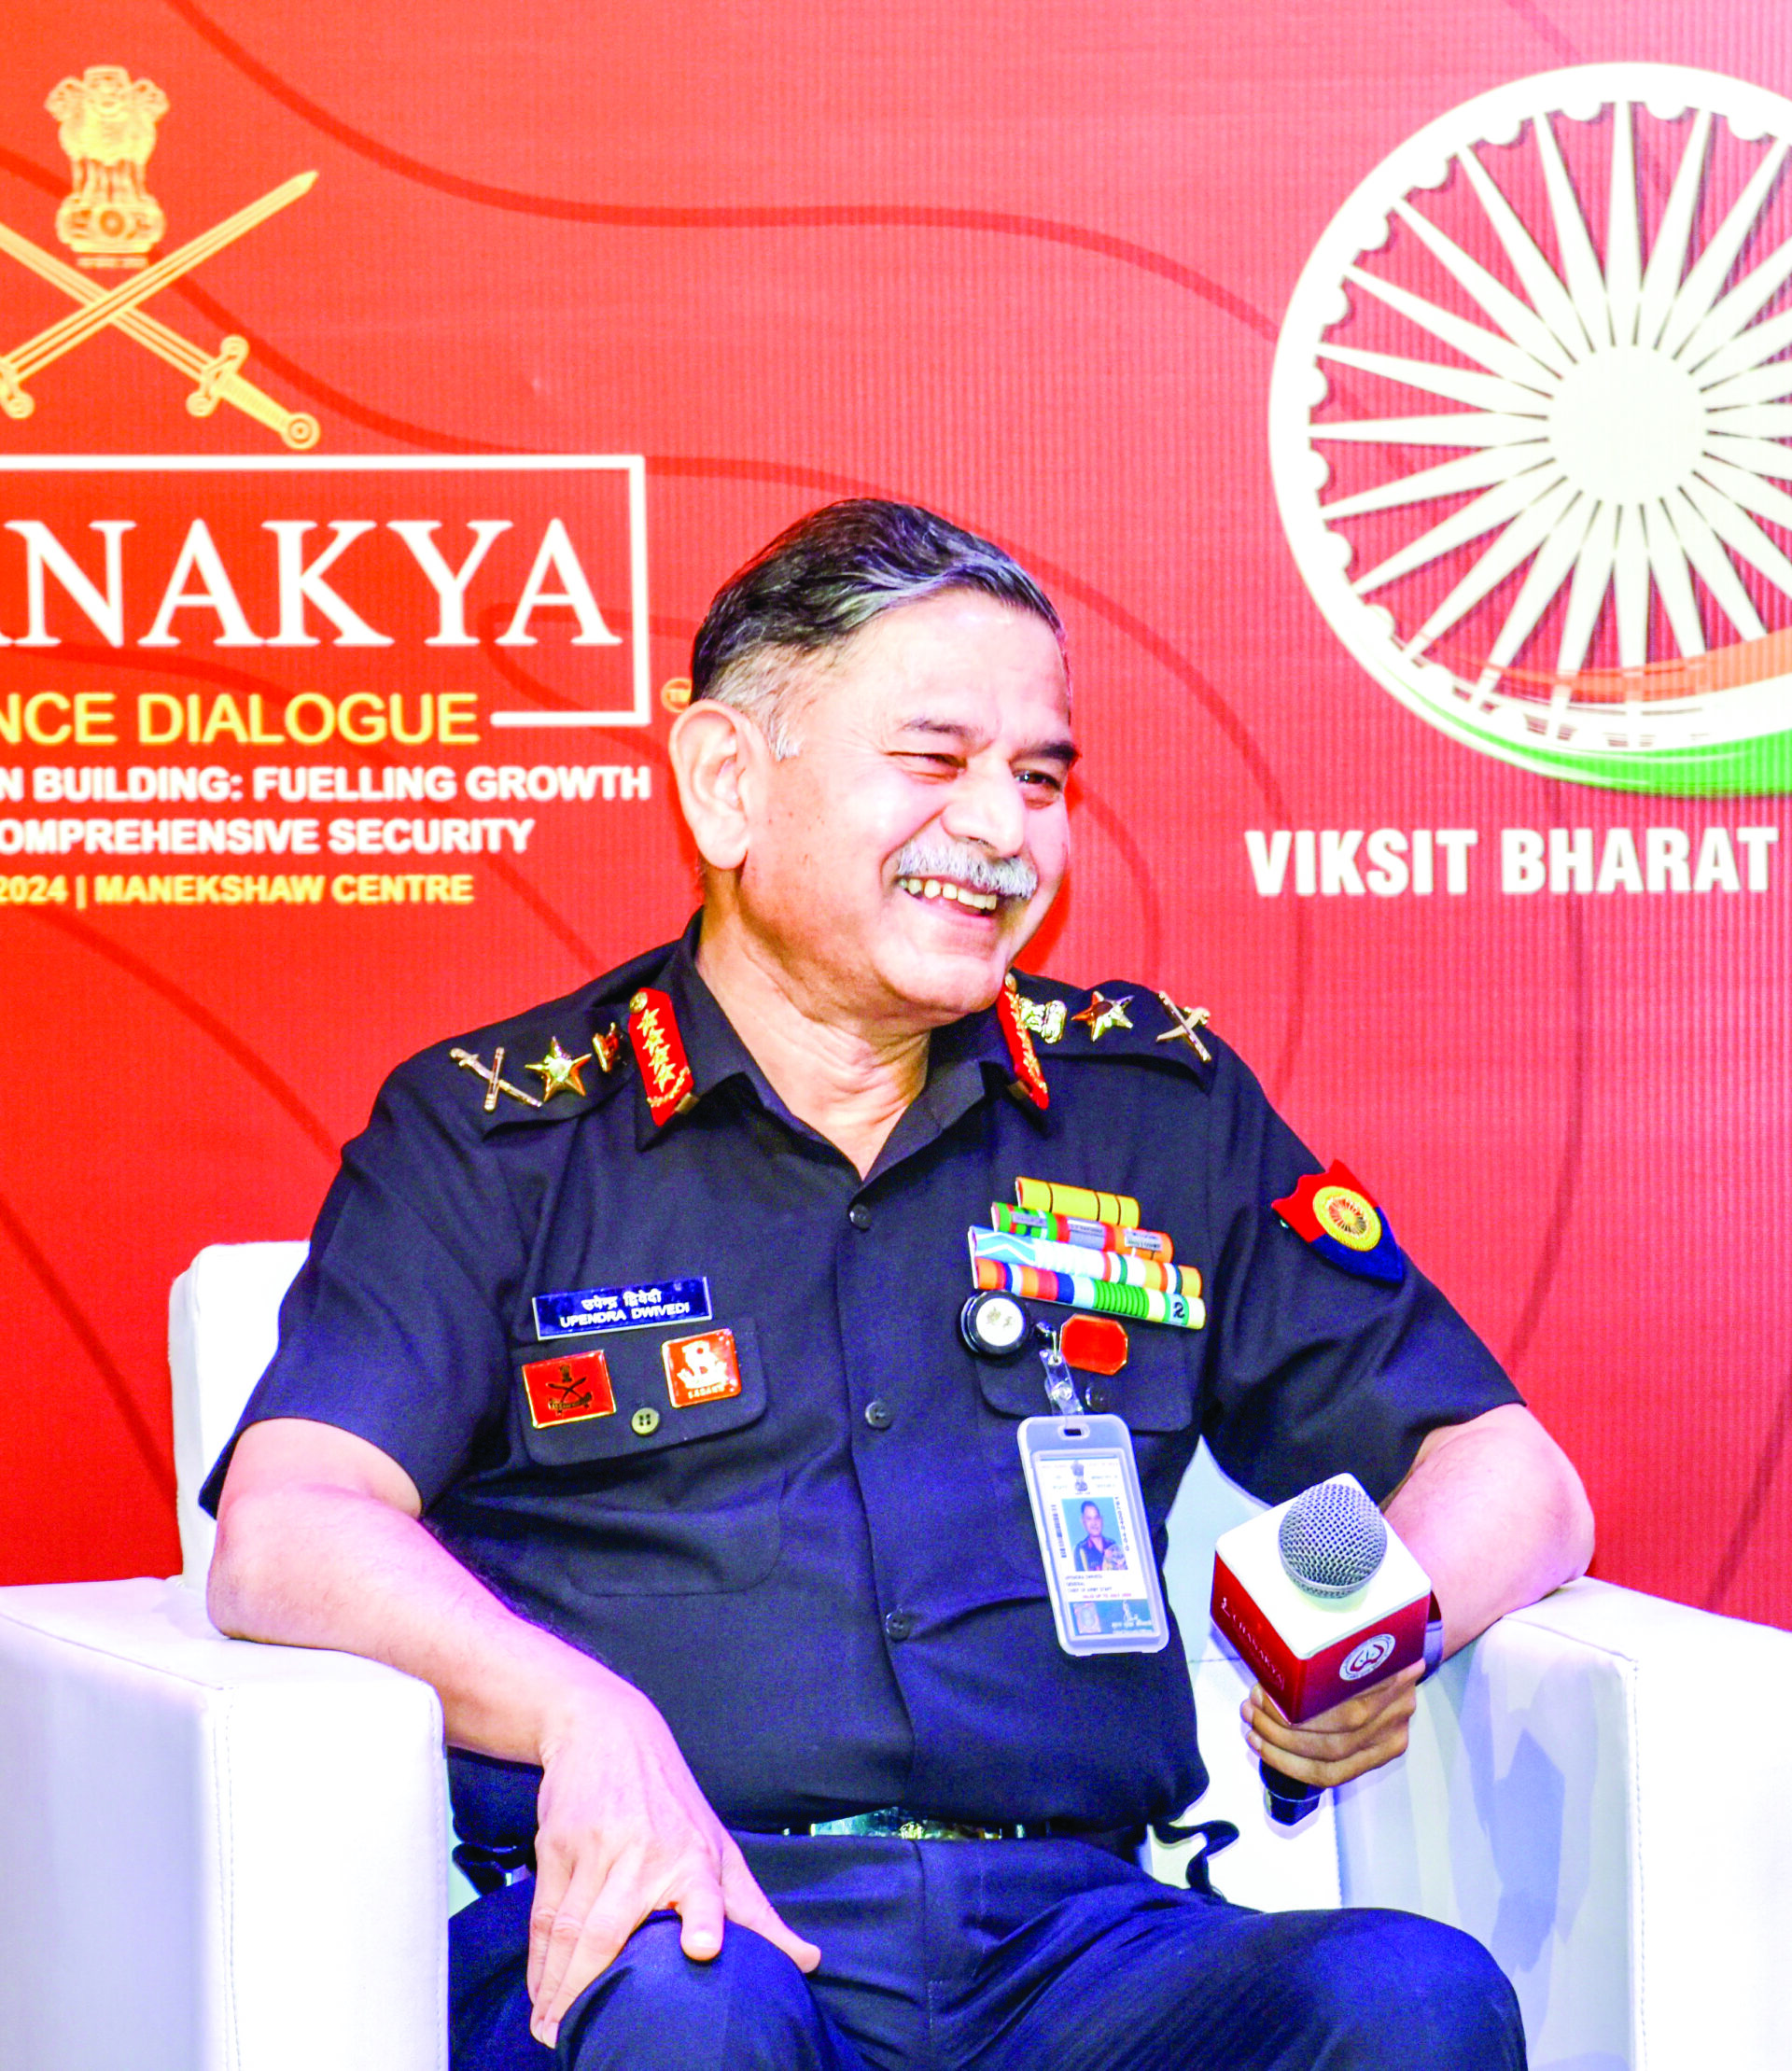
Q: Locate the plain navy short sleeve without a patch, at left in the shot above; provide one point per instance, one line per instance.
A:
(397, 1324)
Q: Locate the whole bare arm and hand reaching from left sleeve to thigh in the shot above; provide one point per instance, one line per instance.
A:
(320, 1546)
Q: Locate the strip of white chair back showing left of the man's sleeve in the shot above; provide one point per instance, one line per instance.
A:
(223, 1326)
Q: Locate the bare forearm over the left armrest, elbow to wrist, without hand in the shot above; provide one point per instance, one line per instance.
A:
(324, 1567)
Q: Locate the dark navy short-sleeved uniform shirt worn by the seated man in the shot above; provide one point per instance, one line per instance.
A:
(830, 1581)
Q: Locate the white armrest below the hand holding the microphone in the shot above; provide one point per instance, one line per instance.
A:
(1602, 1792)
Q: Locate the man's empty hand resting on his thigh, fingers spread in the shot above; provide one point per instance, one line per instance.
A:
(623, 1832)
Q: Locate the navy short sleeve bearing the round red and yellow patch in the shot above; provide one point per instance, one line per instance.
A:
(1314, 1370)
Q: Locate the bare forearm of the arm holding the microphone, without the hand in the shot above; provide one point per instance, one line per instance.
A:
(1495, 1513)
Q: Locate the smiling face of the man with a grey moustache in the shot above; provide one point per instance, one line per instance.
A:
(904, 856)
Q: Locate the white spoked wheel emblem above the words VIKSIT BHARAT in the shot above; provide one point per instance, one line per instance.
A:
(1528, 424)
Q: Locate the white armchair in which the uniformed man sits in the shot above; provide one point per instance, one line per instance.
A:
(221, 1857)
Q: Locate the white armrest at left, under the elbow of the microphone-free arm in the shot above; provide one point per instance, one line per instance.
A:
(214, 1857)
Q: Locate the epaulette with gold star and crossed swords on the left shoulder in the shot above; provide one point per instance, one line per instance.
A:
(556, 1061)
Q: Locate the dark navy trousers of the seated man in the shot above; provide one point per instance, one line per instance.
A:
(1002, 1956)
